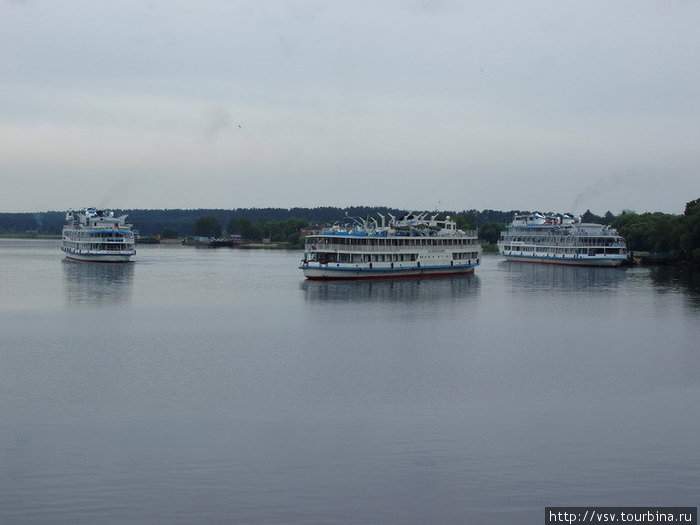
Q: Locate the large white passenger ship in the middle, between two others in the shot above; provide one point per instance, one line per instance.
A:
(407, 247)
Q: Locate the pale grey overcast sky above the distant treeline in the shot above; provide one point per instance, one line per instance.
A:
(414, 104)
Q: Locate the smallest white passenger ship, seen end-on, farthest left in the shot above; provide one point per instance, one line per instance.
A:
(97, 236)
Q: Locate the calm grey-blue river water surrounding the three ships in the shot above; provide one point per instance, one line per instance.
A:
(217, 386)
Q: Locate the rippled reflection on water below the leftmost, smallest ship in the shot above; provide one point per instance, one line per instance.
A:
(97, 284)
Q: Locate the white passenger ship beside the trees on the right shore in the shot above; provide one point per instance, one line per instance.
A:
(561, 239)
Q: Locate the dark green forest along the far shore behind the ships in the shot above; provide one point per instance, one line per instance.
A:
(676, 237)
